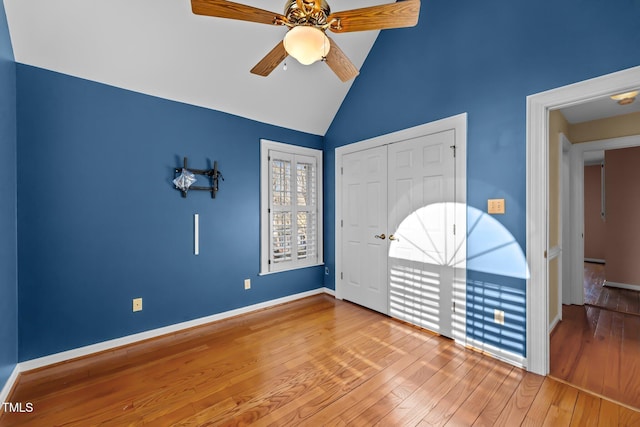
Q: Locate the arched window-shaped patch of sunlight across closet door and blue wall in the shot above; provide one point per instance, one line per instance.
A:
(424, 258)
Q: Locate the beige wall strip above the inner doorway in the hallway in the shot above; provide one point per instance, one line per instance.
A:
(613, 127)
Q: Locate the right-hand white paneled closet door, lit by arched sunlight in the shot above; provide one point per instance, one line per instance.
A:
(421, 253)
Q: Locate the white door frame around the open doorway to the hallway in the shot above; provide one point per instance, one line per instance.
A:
(538, 107)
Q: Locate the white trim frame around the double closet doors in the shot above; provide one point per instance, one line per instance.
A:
(456, 123)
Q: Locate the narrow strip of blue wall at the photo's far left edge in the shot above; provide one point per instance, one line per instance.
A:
(8, 257)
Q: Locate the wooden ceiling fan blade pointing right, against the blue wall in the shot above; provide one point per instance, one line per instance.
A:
(395, 15)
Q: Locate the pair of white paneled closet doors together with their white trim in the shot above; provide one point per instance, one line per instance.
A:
(398, 199)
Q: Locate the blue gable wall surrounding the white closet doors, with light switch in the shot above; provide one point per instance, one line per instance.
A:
(482, 58)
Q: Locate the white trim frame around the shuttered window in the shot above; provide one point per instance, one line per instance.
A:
(265, 189)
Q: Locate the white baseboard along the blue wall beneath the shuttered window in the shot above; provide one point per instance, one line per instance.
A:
(130, 339)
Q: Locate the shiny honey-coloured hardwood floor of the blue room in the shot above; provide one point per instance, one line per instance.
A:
(316, 361)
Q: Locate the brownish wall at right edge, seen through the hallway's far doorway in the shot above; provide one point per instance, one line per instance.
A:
(622, 176)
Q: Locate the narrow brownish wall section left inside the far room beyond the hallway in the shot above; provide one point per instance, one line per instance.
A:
(594, 226)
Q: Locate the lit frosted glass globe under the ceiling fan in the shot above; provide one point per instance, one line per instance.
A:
(306, 44)
